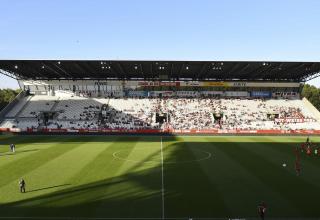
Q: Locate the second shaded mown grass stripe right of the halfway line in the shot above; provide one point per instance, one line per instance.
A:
(236, 182)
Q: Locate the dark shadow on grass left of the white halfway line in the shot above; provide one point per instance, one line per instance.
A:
(114, 197)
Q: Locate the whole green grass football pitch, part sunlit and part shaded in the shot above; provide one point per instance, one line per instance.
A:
(140, 177)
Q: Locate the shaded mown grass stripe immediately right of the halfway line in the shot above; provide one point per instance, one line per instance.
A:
(187, 184)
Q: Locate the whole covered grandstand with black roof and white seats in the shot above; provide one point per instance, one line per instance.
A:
(160, 96)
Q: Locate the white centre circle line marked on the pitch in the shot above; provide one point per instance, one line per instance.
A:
(116, 156)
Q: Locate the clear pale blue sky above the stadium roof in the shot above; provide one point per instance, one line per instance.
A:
(250, 30)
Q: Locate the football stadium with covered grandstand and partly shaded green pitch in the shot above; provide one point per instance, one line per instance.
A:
(112, 139)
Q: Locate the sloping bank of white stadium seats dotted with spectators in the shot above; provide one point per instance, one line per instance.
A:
(75, 112)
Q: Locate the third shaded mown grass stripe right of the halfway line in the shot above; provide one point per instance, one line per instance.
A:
(276, 180)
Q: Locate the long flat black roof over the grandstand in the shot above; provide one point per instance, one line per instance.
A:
(160, 70)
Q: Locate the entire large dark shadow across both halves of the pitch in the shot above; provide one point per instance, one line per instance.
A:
(220, 186)
